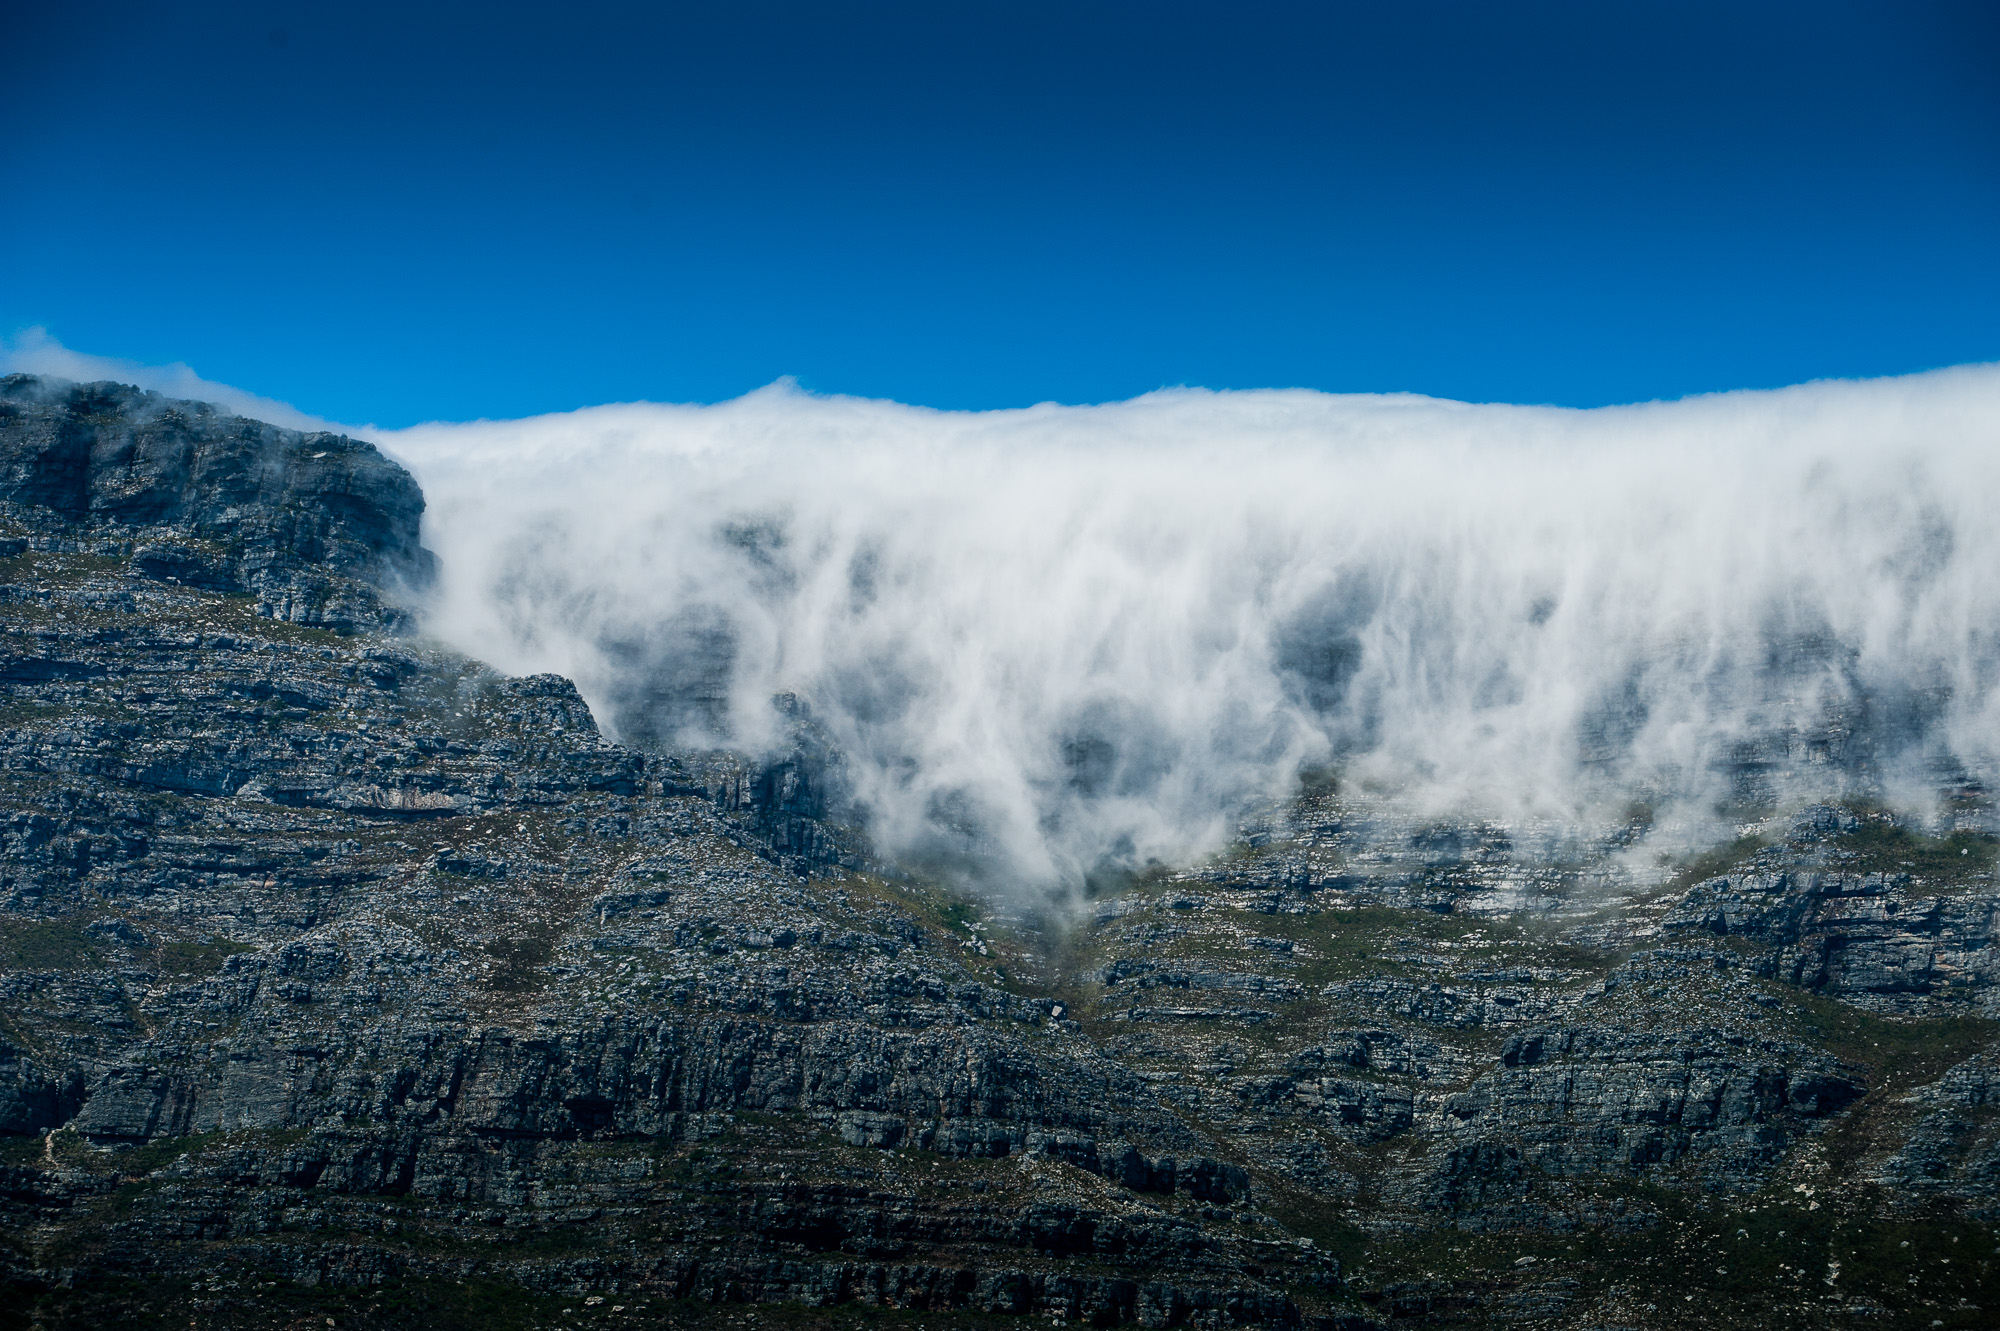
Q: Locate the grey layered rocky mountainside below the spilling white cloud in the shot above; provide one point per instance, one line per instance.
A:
(347, 978)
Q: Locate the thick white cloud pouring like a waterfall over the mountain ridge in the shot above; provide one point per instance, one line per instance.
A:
(1059, 637)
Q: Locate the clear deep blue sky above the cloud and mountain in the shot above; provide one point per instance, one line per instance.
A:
(405, 213)
